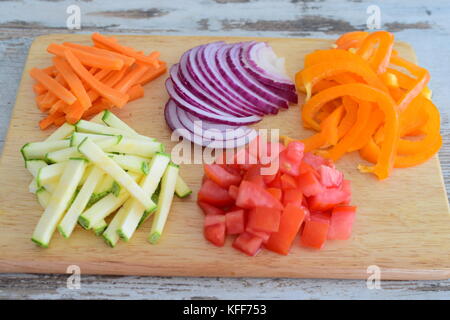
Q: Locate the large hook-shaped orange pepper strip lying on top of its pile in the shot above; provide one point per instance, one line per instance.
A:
(366, 93)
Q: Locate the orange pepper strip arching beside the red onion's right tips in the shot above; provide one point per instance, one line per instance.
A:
(313, 74)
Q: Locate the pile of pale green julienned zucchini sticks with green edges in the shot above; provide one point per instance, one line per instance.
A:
(85, 172)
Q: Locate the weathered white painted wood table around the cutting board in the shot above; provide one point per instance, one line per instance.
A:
(424, 24)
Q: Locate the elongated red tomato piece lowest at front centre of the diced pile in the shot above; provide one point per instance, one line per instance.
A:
(291, 220)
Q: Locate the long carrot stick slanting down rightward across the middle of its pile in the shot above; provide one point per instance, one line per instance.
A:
(115, 97)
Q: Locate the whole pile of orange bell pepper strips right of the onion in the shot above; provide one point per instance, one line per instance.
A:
(362, 96)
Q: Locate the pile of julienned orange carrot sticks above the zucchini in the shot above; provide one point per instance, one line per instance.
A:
(85, 80)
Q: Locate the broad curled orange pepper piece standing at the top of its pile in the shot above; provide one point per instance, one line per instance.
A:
(377, 49)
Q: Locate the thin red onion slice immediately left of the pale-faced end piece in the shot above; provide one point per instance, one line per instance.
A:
(246, 78)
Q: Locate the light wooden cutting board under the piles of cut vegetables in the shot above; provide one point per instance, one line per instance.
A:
(402, 224)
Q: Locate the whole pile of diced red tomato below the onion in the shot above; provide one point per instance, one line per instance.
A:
(270, 210)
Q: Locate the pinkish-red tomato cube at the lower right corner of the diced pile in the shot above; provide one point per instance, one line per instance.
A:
(341, 223)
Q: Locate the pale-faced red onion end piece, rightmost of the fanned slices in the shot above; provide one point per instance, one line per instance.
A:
(262, 62)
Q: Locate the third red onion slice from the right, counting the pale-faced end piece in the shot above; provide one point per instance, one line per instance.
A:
(238, 85)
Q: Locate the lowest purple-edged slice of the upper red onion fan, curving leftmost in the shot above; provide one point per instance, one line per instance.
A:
(219, 117)
